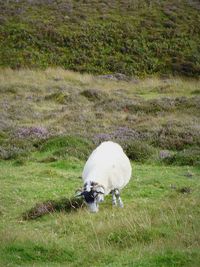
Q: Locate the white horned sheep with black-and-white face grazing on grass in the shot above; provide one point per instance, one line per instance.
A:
(107, 170)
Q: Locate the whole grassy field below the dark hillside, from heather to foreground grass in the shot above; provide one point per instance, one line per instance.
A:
(49, 123)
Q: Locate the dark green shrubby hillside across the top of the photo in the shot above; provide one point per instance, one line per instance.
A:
(137, 37)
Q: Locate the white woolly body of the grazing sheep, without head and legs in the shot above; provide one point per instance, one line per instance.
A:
(108, 165)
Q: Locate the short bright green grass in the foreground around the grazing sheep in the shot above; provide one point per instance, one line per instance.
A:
(140, 234)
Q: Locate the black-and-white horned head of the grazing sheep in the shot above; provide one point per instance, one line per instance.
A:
(93, 194)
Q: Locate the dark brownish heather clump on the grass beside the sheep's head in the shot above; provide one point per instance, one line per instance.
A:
(50, 206)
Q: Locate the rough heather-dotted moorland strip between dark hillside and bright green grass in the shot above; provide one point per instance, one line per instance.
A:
(66, 114)
